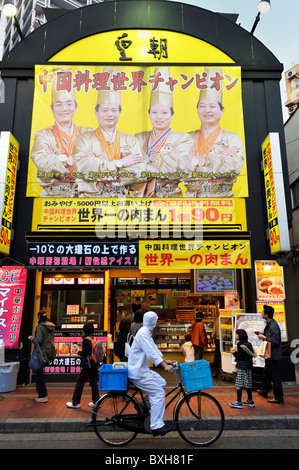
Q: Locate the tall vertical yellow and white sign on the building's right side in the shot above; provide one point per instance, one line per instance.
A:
(275, 195)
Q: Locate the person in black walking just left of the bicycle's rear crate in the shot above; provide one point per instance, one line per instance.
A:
(89, 370)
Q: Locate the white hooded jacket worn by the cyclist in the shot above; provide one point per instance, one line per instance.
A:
(144, 349)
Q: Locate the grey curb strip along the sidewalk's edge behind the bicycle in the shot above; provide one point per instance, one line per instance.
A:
(47, 425)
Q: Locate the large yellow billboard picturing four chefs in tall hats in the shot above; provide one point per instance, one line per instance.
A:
(138, 131)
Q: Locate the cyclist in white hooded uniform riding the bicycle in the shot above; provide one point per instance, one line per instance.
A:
(143, 350)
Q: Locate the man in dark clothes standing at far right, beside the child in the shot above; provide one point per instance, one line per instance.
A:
(271, 373)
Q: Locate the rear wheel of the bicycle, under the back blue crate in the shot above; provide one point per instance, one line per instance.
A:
(105, 418)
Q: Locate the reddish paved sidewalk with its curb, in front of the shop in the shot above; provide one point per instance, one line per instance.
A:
(20, 413)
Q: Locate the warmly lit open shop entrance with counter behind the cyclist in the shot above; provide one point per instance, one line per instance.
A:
(178, 299)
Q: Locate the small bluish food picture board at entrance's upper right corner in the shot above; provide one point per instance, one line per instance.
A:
(219, 280)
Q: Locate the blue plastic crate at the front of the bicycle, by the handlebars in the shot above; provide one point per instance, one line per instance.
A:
(196, 375)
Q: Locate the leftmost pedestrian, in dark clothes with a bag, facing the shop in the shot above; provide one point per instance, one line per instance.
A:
(44, 336)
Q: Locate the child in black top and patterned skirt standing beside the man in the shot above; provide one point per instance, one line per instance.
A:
(243, 355)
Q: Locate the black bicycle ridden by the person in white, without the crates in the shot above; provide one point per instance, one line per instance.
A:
(118, 416)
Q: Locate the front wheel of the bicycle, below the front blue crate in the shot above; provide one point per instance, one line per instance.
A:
(199, 419)
